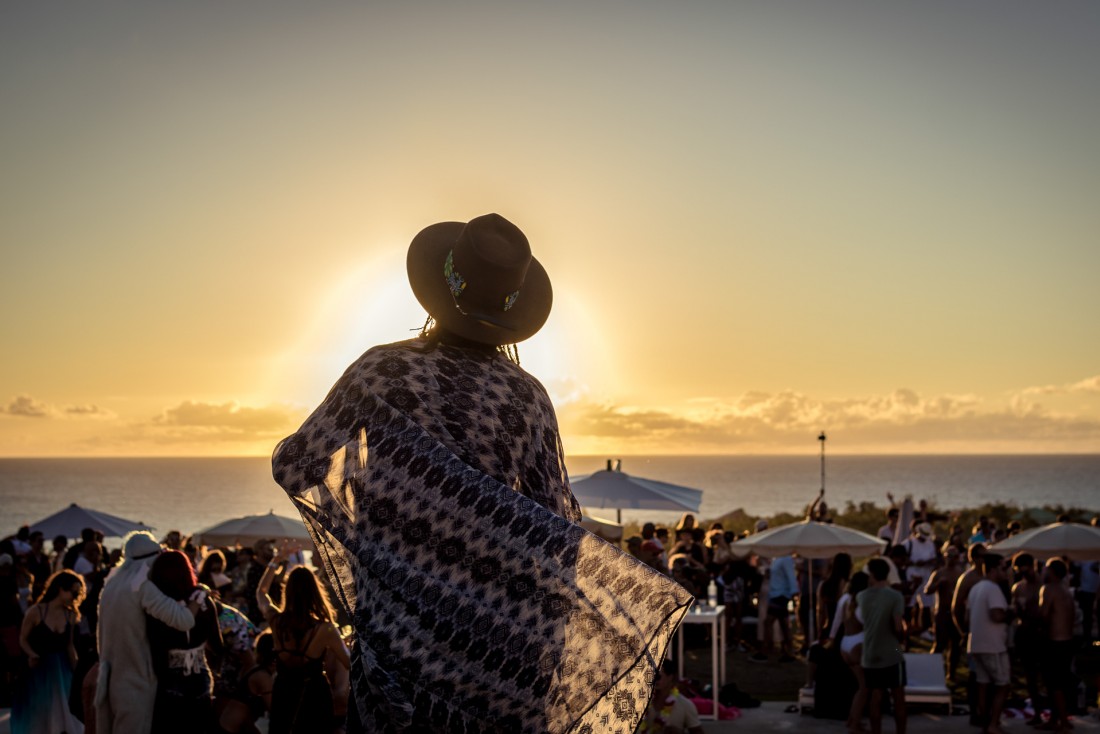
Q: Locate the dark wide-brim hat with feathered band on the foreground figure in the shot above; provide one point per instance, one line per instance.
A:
(479, 280)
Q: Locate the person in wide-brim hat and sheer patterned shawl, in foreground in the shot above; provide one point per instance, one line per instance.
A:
(433, 479)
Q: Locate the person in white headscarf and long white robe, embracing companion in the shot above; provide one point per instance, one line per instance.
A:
(126, 688)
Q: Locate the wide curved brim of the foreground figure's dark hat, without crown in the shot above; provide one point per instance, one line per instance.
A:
(425, 265)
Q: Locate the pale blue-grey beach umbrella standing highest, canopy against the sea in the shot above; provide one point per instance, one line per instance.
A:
(614, 489)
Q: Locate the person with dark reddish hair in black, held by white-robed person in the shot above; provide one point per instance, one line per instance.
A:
(185, 686)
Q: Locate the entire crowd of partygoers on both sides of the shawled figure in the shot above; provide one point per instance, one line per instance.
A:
(235, 634)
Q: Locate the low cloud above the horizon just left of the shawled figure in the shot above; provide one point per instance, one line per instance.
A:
(221, 422)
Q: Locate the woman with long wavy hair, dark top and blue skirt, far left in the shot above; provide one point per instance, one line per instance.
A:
(47, 640)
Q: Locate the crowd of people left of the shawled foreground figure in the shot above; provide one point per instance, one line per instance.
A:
(169, 638)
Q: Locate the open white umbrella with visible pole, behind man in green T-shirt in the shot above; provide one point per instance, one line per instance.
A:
(812, 540)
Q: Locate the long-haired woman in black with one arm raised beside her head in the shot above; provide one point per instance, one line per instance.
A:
(305, 633)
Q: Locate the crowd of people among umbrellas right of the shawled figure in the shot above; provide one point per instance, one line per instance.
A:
(997, 618)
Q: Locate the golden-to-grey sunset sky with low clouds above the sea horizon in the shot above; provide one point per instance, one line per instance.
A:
(762, 220)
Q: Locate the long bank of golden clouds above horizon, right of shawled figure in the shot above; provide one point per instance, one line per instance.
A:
(899, 421)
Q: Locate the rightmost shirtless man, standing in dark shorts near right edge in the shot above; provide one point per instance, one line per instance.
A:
(1057, 606)
